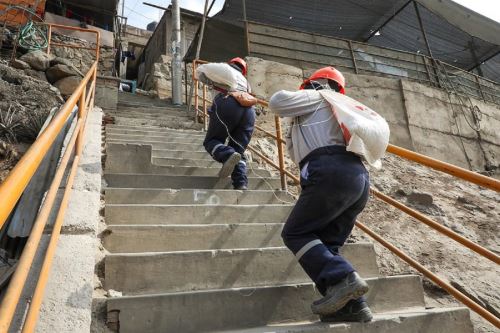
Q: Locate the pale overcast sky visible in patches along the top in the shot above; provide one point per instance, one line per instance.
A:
(140, 15)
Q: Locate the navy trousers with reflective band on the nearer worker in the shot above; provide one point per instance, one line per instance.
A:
(335, 189)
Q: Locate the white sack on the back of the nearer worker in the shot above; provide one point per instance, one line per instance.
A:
(366, 132)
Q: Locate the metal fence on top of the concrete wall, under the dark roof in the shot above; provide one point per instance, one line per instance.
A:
(310, 51)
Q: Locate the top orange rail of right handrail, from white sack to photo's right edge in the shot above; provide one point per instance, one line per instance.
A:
(450, 169)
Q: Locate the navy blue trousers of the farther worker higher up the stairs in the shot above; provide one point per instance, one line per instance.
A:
(230, 122)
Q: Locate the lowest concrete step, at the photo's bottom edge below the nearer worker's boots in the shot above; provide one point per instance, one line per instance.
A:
(444, 320)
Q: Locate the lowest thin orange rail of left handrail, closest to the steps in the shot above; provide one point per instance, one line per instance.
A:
(36, 301)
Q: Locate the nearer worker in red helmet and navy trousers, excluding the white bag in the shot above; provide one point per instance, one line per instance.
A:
(335, 189)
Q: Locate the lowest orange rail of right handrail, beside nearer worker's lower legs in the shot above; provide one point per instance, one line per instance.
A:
(431, 276)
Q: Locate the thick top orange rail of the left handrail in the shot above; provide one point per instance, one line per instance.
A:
(17, 180)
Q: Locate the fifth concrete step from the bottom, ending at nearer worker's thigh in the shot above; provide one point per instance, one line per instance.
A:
(195, 214)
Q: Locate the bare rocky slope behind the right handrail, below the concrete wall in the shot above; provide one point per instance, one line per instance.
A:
(467, 209)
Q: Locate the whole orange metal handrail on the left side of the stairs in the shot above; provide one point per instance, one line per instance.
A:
(14, 185)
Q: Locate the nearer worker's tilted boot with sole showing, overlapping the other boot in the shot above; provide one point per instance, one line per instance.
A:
(337, 296)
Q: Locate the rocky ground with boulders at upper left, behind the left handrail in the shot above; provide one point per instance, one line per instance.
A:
(34, 84)
